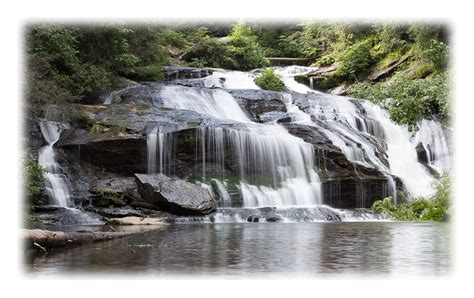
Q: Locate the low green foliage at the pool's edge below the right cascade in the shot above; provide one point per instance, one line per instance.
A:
(436, 209)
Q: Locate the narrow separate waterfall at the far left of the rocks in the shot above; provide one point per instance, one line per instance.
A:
(56, 182)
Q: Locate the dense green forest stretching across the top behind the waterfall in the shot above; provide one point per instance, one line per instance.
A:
(407, 64)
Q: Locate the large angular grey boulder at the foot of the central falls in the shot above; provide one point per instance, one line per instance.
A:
(174, 195)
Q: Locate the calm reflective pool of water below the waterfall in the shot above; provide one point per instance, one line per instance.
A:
(276, 249)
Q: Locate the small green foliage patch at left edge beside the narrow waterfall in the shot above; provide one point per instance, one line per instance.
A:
(34, 181)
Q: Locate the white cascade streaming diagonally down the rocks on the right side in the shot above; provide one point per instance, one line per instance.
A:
(346, 119)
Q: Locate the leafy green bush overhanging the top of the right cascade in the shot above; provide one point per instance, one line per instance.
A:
(411, 100)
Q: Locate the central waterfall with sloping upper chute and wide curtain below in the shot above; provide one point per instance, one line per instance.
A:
(260, 150)
